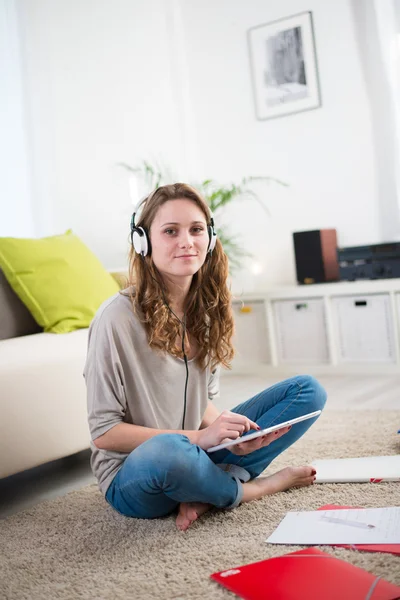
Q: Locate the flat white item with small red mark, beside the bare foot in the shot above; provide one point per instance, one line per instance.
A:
(367, 468)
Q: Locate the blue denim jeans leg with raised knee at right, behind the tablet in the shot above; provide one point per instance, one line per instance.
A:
(286, 400)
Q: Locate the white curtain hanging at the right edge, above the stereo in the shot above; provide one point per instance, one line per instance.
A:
(377, 35)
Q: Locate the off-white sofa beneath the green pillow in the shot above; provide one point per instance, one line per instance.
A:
(42, 392)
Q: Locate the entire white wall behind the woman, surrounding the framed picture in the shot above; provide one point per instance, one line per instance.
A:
(118, 81)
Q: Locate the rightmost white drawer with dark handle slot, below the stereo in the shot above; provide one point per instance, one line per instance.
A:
(364, 328)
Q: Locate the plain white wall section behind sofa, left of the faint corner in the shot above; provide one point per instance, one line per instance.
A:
(100, 92)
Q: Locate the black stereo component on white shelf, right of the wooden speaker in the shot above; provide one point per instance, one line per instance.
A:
(377, 261)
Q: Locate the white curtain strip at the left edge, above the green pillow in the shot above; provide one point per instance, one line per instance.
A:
(16, 214)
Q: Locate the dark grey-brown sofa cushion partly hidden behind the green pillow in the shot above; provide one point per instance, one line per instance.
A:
(15, 318)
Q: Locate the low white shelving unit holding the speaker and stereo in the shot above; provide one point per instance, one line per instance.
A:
(331, 327)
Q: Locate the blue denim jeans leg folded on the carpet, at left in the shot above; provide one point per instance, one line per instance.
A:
(166, 470)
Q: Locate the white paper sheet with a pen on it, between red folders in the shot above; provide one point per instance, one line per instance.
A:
(344, 526)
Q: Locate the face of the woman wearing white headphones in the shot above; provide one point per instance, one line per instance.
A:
(179, 238)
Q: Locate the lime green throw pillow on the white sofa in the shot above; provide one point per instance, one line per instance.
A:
(58, 278)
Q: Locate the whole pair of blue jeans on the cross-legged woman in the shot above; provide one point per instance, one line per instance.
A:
(168, 469)
